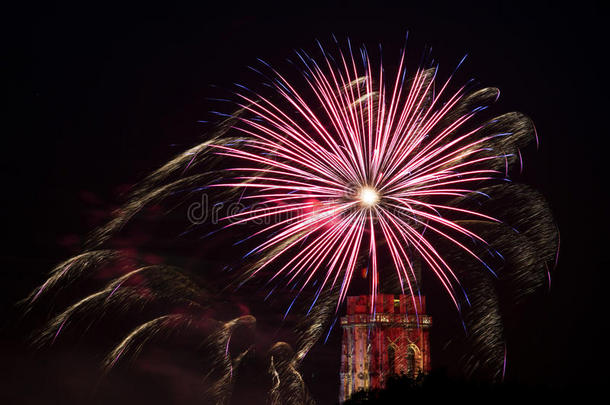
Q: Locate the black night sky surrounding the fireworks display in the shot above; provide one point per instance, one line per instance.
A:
(99, 95)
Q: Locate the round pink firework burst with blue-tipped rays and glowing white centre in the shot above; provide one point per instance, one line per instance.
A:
(351, 168)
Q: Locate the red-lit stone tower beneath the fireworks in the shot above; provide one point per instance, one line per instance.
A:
(393, 340)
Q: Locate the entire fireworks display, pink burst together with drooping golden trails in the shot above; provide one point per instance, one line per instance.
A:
(346, 171)
